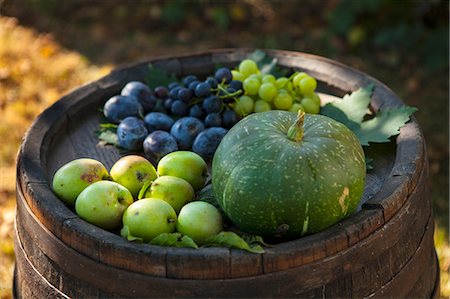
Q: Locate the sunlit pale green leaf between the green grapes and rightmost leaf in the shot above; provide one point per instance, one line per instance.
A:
(352, 108)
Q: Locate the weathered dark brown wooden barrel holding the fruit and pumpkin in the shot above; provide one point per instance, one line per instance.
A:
(386, 249)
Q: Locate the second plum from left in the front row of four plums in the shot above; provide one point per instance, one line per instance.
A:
(158, 144)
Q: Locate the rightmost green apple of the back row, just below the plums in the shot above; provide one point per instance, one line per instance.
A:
(186, 165)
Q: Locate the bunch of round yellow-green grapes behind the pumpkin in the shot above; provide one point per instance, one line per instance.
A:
(263, 92)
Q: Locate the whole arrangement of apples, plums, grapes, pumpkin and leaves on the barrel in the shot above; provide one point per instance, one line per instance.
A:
(235, 158)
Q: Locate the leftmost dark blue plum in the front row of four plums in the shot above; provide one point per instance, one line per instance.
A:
(131, 132)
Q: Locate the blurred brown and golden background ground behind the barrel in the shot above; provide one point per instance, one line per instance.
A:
(48, 47)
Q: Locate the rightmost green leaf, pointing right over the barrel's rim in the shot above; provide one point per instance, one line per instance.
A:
(385, 124)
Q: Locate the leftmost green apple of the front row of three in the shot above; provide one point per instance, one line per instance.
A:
(103, 204)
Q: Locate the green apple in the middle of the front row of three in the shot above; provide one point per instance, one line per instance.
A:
(148, 218)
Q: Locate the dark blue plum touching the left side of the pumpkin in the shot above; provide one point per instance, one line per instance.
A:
(206, 143)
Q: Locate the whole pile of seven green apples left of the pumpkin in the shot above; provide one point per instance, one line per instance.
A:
(139, 199)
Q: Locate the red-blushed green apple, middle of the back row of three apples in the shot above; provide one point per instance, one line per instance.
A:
(132, 172)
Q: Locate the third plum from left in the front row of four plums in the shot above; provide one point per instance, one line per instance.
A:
(185, 130)
